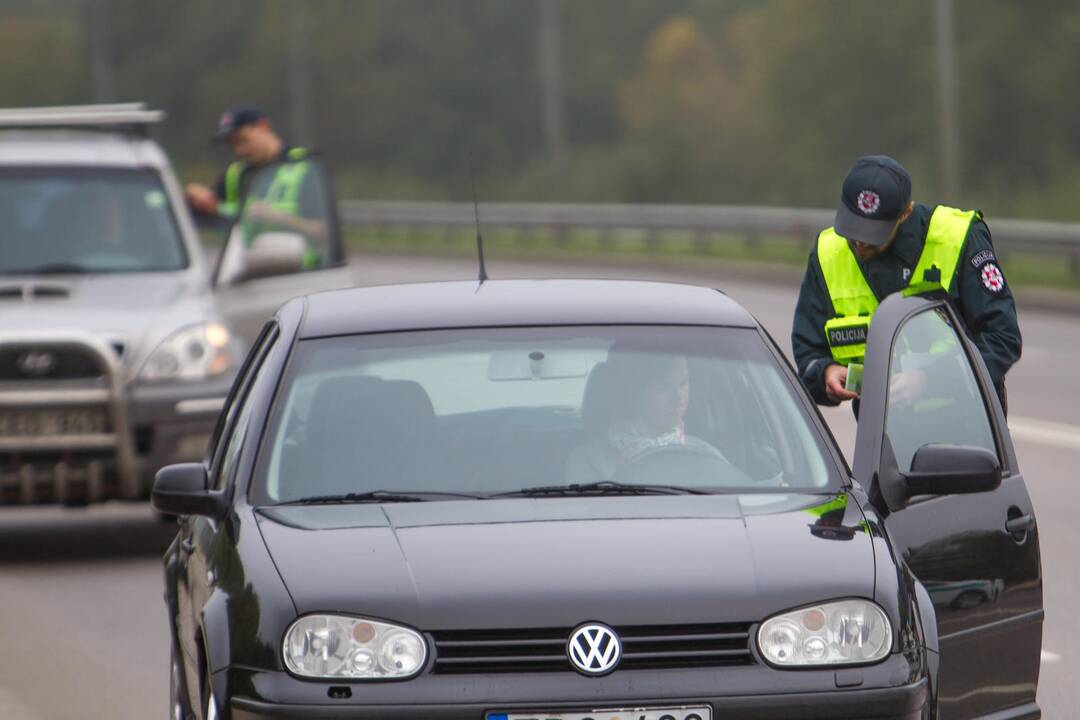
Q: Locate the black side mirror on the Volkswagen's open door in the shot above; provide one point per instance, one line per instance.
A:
(946, 470)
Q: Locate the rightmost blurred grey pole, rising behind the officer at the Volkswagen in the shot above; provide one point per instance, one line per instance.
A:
(948, 85)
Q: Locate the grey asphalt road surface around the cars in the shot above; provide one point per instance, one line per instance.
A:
(84, 626)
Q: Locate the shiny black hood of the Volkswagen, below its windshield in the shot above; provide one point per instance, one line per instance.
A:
(556, 563)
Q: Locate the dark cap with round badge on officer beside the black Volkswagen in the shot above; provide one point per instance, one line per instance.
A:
(876, 192)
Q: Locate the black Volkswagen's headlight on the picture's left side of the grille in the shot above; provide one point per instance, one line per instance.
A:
(354, 648)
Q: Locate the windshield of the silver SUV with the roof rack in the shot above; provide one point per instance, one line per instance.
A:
(74, 221)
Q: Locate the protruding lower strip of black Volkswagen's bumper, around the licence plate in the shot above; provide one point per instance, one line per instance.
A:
(903, 703)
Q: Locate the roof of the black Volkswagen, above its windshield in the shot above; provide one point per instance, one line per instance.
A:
(517, 303)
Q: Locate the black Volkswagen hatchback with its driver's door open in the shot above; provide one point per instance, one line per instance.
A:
(574, 499)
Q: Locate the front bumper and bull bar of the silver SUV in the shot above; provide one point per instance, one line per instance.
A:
(146, 428)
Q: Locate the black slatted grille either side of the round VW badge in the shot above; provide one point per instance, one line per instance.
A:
(545, 650)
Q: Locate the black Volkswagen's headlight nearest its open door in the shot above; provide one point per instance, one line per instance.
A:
(843, 633)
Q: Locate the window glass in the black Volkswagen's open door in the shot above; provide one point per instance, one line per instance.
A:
(934, 396)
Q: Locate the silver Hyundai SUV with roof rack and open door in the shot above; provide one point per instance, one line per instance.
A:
(119, 336)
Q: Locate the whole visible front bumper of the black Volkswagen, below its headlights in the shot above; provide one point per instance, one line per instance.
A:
(893, 690)
